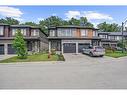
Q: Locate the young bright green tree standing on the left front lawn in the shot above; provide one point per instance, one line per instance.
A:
(19, 45)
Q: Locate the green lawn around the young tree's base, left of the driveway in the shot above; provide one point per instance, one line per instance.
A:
(34, 57)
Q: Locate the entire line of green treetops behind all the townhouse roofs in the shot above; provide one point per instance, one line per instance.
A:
(57, 21)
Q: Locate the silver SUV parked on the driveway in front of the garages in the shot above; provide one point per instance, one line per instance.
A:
(94, 51)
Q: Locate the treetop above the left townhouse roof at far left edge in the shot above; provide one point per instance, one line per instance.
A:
(9, 20)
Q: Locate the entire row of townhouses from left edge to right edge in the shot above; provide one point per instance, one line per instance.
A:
(64, 39)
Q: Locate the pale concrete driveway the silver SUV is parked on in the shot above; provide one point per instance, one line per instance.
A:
(85, 59)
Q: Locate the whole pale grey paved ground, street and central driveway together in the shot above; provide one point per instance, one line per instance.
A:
(77, 72)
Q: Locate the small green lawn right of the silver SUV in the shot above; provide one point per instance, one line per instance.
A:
(116, 54)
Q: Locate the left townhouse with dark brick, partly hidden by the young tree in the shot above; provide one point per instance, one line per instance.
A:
(36, 39)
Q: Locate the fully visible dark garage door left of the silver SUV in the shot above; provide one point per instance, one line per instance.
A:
(69, 48)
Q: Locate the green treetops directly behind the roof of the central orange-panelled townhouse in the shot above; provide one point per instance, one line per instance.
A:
(57, 21)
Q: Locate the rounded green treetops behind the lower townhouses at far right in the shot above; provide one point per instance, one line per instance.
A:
(105, 27)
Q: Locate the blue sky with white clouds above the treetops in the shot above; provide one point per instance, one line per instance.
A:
(94, 14)
